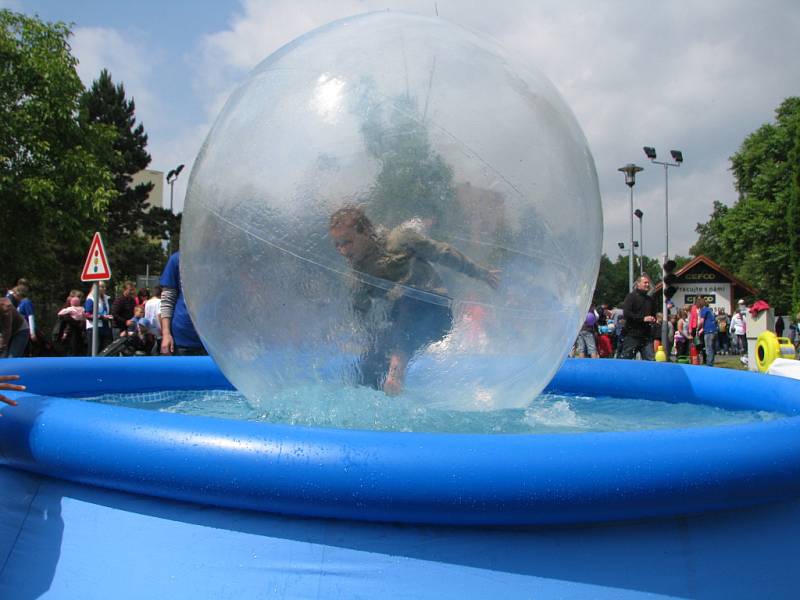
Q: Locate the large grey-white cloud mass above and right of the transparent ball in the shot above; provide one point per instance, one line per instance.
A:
(699, 80)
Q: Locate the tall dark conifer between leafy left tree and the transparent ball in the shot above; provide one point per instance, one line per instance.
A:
(133, 230)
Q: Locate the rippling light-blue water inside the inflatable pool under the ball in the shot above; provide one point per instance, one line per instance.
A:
(549, 413)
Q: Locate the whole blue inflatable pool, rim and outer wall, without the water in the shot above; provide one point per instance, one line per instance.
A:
(95, 505)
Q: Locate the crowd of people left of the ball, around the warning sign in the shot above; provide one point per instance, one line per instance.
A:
(143, 322)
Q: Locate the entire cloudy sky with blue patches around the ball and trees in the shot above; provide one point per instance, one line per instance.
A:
(694, 76)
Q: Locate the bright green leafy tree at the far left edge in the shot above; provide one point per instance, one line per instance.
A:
(54, 187)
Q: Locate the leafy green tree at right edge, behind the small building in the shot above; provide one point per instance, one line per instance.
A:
(757, 237)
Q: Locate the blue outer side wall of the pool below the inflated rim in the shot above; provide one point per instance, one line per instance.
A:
(63, 541)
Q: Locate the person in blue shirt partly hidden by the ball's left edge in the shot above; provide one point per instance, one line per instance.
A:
(179, 335)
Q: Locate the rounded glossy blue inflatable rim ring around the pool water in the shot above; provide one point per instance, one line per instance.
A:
(409, 477)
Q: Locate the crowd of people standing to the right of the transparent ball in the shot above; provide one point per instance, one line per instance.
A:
(635, 329)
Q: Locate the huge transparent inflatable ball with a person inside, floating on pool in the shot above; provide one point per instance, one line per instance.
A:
(391, 204)
